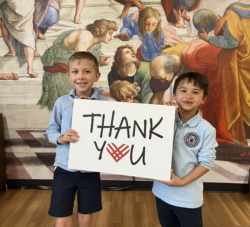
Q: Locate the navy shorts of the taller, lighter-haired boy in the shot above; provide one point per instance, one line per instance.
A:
(65, 186)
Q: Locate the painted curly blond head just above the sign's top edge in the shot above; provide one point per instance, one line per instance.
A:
(122, 89)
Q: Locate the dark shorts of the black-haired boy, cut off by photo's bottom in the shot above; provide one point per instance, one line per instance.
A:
(172, 216)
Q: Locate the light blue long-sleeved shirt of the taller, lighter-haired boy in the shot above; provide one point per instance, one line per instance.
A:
(60, 122)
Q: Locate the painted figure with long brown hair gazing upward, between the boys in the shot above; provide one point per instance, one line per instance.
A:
(127, 67)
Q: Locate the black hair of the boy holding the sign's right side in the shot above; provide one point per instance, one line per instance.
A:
(196, 78)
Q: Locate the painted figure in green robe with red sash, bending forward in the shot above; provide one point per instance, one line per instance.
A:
(55, 58)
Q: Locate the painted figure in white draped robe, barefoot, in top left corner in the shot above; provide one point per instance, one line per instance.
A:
(18, 33)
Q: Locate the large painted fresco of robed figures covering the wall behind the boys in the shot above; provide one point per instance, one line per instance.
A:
(141, 47)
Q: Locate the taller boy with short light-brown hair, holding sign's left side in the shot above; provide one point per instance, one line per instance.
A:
(83, 72)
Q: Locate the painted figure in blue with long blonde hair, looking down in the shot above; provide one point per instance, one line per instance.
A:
(153, 33)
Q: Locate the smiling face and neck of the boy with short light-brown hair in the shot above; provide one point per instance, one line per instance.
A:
(82, 76)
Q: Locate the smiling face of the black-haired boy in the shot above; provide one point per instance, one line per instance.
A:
(188, 97)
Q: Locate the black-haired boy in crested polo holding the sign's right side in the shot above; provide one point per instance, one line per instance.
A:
(179, 201)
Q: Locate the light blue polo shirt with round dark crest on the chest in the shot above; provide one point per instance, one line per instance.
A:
(194, 144)
